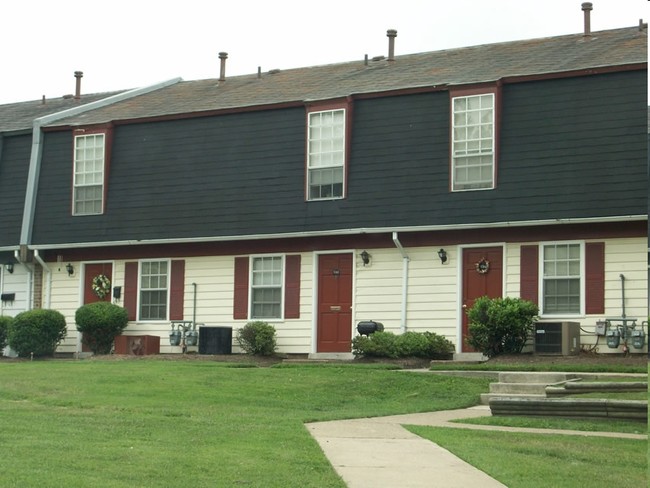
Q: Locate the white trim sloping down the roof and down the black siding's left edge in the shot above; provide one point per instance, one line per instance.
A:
(37, 147)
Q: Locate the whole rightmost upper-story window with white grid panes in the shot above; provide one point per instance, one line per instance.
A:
(473, 142)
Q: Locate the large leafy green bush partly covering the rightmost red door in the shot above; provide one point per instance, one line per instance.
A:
(500, 325)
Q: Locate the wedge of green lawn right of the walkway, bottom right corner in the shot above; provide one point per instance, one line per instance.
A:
(522, 460)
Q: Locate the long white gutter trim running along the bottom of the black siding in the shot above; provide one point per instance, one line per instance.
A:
(342, 232)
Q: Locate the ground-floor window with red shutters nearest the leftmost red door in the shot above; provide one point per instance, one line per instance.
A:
(154, 290)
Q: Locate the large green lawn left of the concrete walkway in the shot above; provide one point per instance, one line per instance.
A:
(154, 423)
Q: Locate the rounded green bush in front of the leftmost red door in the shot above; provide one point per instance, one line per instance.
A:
(100, 322)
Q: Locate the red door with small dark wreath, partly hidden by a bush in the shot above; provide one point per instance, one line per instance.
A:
(482, 276)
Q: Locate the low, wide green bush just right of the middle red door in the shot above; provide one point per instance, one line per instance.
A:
(428, 345)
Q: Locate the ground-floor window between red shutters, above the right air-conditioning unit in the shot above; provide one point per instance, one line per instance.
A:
(562, 270)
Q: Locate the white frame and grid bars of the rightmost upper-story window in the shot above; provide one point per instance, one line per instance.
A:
(458, 154)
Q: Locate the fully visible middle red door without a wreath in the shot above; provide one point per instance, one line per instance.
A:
(334, 328)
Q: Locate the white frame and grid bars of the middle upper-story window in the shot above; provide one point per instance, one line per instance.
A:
(313, 165)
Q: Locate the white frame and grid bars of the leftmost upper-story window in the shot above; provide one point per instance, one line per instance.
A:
(81, 172)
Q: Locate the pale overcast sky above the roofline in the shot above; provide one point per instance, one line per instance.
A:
(131, 43)
